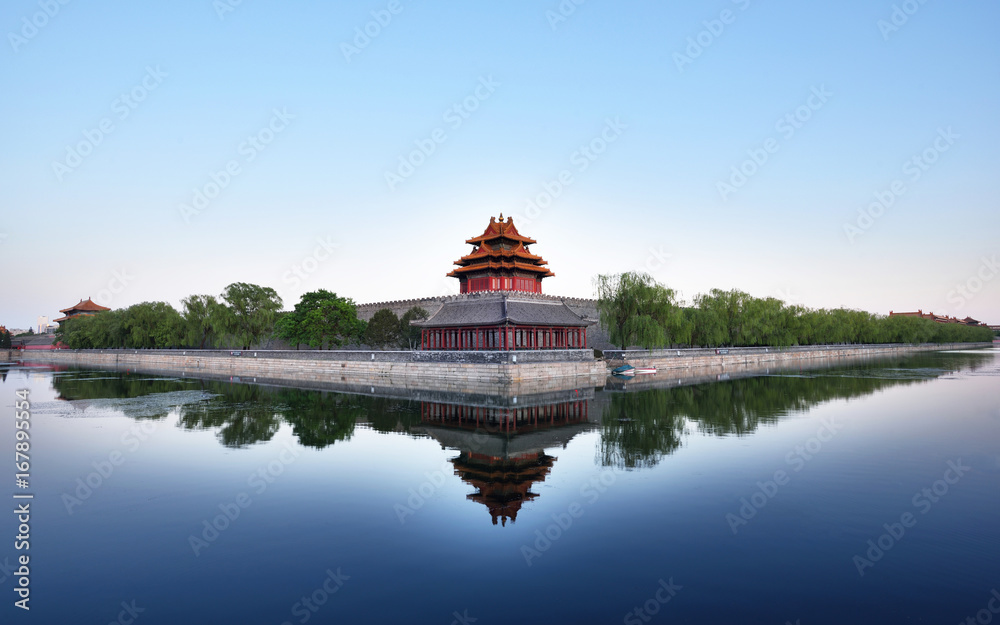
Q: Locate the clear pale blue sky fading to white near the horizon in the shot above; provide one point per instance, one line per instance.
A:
(110, 227)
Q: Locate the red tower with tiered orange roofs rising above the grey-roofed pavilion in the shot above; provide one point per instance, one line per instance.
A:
(501, 261)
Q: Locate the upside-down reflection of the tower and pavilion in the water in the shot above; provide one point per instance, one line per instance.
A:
(502, 449)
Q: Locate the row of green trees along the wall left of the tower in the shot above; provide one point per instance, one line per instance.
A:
(244, 315)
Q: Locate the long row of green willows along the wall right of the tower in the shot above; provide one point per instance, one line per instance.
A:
(636, 310)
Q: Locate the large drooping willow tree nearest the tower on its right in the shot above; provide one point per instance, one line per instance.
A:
(635, 309)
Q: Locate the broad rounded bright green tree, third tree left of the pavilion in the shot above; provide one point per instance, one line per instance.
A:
(321, 318)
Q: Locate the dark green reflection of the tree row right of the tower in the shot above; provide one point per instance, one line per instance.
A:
(639, 428)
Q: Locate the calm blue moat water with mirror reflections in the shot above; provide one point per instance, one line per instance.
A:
(854, 494)
